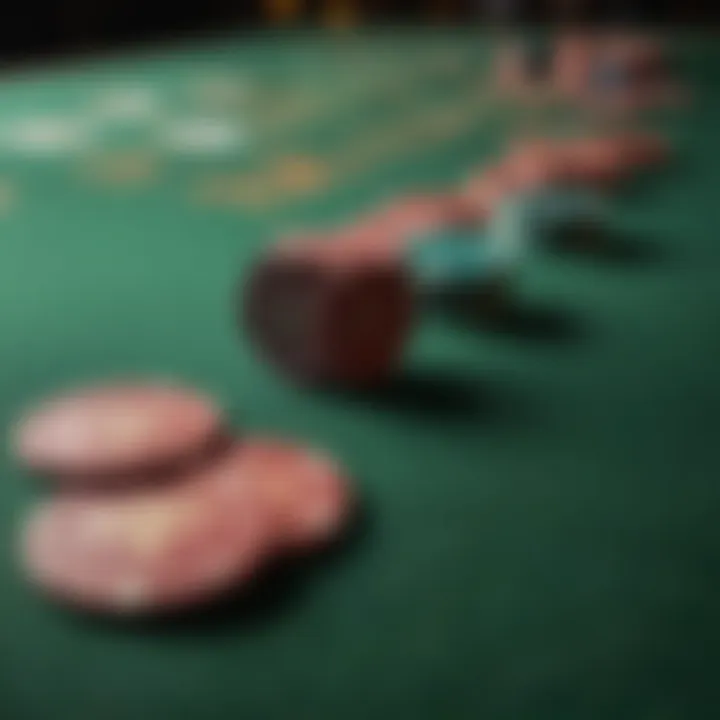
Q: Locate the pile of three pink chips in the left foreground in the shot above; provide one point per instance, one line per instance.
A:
(157, 507)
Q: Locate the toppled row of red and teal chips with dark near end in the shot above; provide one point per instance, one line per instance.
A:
(336, 308)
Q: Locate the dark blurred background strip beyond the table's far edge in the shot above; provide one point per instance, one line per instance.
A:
(33, 29)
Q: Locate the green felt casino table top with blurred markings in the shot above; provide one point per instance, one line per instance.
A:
(541, 535)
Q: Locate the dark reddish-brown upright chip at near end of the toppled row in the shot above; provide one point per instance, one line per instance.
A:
(329, 311)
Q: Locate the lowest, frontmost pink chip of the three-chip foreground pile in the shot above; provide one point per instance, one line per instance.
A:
(147, 552)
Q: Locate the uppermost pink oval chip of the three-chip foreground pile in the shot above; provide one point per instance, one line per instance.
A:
(102, 432)
